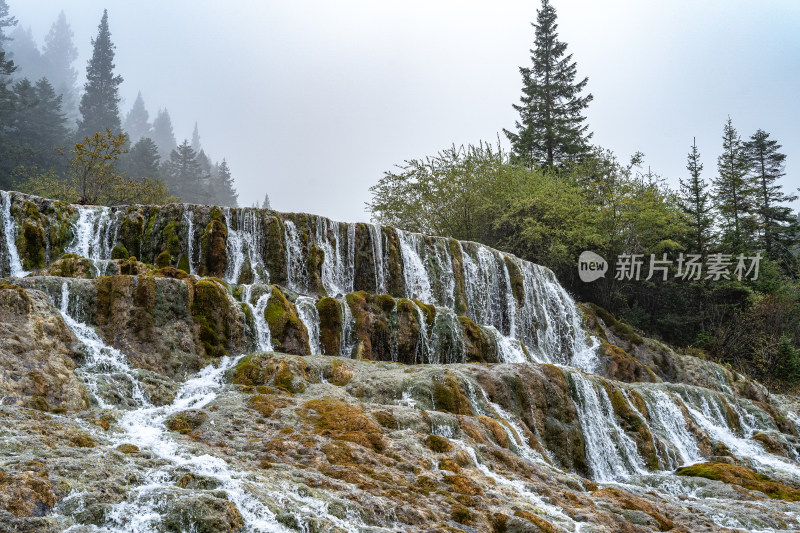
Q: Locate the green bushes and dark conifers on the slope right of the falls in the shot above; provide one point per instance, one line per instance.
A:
(555, 196)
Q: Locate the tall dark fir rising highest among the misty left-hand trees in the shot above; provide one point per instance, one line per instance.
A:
(100, 101)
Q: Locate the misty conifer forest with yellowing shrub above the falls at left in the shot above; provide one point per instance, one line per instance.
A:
(41, 122)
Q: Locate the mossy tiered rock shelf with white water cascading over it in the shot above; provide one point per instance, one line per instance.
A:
(191, 368)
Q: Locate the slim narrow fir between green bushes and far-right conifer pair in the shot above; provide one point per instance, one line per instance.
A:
(695, 201)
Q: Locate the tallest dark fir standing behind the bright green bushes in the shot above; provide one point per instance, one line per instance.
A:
(551, 129)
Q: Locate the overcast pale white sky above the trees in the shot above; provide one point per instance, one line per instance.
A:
(312, 101)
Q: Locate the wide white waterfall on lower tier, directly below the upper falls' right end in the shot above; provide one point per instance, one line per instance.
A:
(610, 453)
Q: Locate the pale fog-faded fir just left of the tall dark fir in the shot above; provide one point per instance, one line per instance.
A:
(59, 54)
